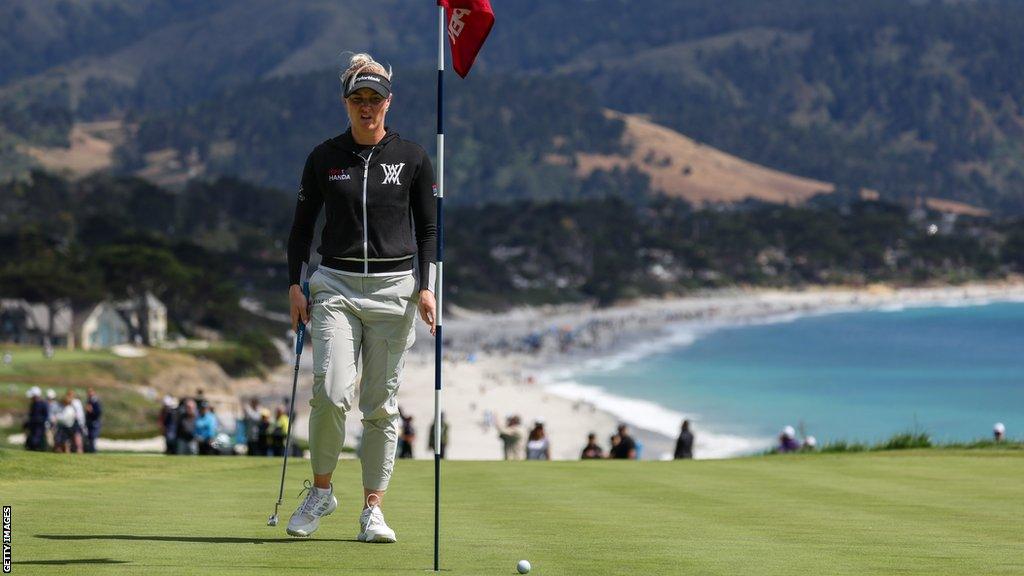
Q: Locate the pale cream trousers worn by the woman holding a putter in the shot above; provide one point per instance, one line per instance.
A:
(354, 318)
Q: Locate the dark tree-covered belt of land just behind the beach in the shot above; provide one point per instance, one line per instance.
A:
(203, 248)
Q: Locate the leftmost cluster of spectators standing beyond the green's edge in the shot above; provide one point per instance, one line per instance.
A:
(67, 425)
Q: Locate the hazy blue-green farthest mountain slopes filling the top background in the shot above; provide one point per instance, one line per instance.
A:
(910, 99)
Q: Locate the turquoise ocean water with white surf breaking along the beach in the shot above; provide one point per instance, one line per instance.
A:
(952, 372)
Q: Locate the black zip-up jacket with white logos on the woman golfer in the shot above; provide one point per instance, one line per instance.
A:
(374, 196)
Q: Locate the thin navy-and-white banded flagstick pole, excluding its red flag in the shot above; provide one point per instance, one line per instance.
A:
(439, 343)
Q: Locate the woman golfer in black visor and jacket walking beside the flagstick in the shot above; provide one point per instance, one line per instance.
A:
(377, 189)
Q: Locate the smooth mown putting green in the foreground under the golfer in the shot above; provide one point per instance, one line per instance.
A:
(930, 512)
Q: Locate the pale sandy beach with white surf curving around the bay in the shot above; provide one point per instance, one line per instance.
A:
(549, 345)
